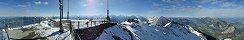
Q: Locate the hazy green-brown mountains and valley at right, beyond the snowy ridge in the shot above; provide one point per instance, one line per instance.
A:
(220, 28)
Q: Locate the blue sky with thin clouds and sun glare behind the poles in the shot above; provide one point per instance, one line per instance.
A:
(175, 8)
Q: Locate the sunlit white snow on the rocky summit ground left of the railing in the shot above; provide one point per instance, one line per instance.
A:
(38, 30)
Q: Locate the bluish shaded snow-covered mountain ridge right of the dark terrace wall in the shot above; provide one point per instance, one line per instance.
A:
(146, 32)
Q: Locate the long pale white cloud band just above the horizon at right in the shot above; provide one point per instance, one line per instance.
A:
(199, 12)
